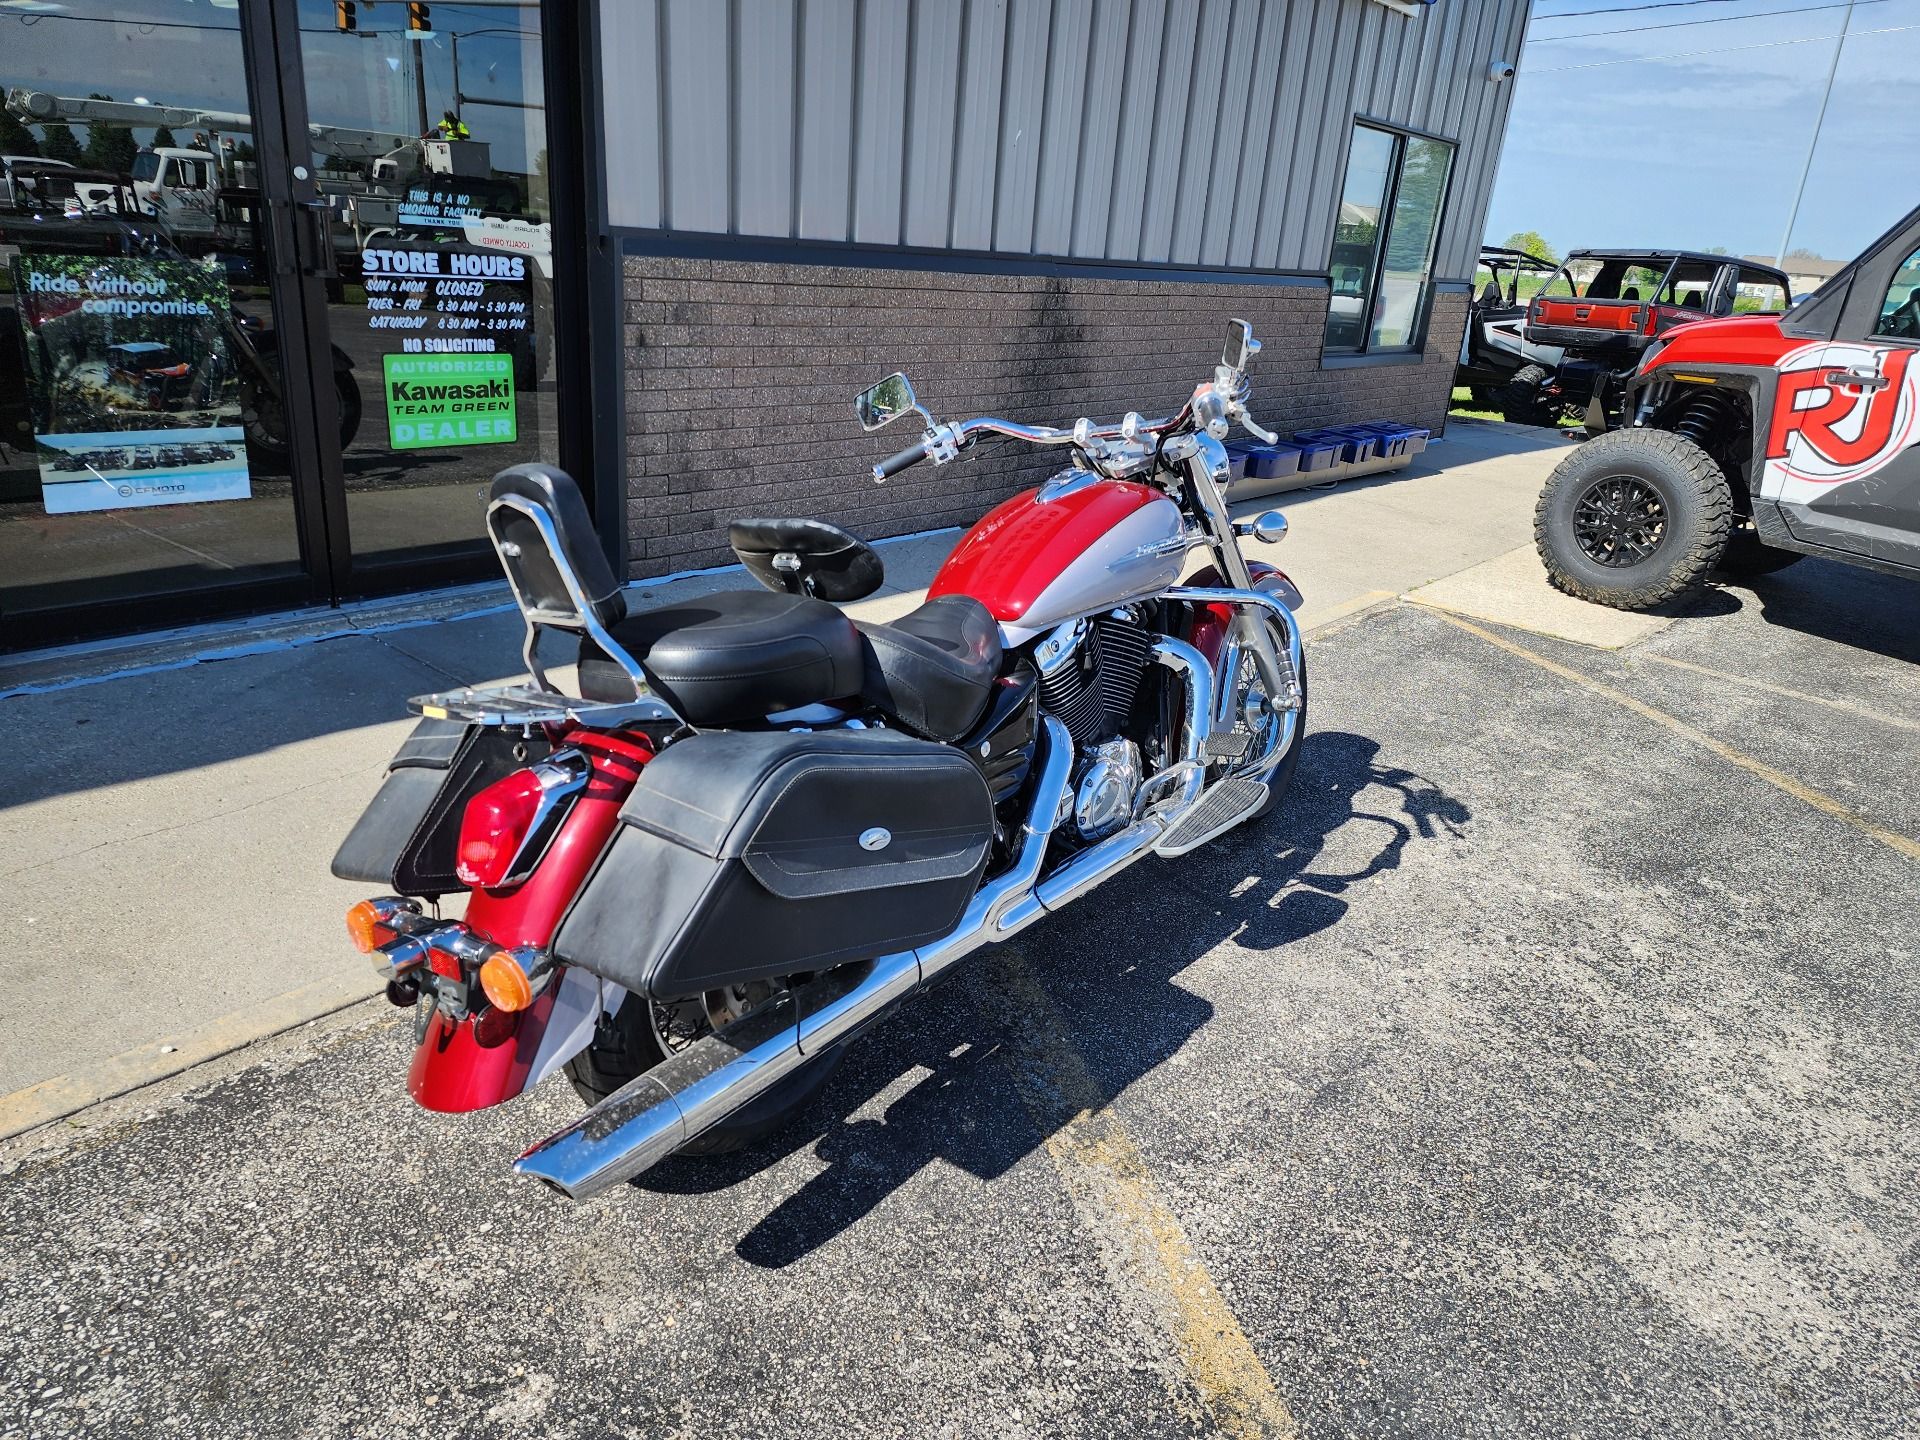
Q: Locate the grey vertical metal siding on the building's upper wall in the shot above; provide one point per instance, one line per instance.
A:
(1207, 133)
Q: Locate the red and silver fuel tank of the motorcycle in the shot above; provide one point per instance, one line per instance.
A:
(1070, 548)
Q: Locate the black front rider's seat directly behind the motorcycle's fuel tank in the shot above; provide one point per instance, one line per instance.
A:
(934, 667)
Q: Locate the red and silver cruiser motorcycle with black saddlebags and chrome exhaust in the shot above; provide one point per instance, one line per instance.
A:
(765, 825)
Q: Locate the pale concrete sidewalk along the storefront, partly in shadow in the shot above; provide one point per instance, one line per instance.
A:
(168, 828)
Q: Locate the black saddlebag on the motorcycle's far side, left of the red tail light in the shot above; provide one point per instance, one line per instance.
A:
(408, 838)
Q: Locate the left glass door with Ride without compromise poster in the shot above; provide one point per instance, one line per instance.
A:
(147, 452)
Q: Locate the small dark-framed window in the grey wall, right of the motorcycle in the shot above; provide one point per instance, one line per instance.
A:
(1385, 235)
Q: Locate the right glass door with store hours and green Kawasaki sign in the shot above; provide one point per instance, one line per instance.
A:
(429, 151)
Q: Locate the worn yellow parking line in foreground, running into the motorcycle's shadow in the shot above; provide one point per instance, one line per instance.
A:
(1143, 1243)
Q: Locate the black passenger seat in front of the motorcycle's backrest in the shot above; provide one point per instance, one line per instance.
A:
(732, 658)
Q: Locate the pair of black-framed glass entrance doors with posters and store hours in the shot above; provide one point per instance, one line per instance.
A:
(166, 427)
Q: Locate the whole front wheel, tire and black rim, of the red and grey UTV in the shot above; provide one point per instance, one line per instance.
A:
(1635, 519)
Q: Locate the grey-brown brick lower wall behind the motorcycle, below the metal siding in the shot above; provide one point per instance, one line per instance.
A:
(740, 383)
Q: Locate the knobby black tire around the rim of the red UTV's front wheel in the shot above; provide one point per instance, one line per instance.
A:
(1698, 517)
